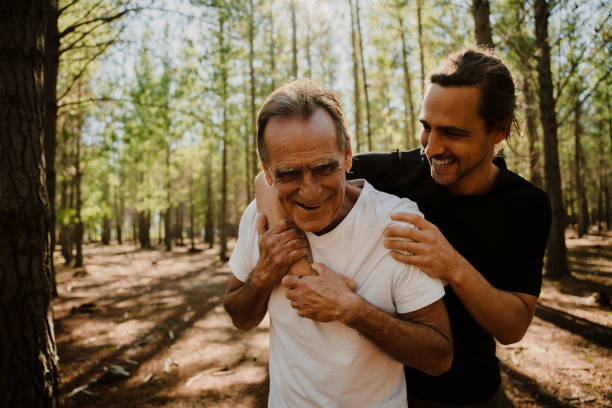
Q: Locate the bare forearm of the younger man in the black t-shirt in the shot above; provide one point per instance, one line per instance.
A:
(505, 315)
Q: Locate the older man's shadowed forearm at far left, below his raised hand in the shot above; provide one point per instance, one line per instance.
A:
(247, 304)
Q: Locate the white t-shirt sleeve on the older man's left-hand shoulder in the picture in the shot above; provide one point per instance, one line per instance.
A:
(246, 252)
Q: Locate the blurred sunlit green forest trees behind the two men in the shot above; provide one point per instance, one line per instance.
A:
(155, 135)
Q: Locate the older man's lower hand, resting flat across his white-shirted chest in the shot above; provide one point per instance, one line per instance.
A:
(326, 297)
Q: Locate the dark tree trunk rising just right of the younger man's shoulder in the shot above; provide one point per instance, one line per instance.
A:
(556, 260)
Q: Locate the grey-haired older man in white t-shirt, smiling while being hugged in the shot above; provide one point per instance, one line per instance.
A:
(330, 346)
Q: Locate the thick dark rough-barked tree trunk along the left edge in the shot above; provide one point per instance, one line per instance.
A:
(28, 357)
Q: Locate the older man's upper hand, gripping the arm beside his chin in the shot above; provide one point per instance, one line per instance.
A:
(279, 248)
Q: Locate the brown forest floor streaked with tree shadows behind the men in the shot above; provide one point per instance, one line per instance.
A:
(147, 328)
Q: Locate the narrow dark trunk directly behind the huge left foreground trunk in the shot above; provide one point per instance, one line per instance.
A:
(51, 63)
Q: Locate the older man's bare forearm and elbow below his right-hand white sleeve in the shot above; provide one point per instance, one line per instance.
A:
(416, 344)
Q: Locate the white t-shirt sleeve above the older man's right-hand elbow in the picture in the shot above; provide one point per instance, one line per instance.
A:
(414, 289)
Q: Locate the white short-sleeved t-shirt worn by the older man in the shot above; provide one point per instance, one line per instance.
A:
(315, 364)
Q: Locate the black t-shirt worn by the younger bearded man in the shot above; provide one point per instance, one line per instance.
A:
(502, 233)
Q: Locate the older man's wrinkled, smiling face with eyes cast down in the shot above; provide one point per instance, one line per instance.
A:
(308, 169)
